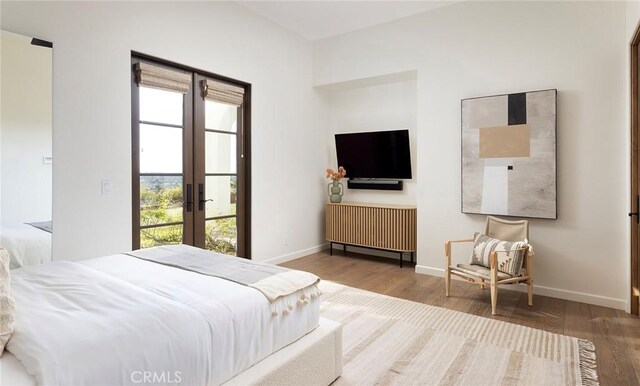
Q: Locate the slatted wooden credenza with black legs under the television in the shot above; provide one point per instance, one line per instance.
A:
(378, 226)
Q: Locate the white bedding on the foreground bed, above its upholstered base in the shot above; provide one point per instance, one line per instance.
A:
(239, 328)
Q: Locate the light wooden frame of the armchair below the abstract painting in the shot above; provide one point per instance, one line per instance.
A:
(525, 278)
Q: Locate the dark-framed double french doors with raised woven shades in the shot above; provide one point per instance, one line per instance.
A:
(190, 158)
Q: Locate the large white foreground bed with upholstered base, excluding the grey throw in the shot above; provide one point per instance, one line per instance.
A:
(118, 319)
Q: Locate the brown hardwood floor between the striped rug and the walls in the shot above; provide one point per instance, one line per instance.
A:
(615, 333)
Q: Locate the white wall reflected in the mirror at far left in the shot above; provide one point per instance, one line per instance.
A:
(25, 127)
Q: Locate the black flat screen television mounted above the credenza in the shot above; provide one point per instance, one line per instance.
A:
(379, 154)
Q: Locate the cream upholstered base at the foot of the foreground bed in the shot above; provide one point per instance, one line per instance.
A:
(314, 359)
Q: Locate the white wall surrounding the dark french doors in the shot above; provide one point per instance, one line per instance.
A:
(92, 107)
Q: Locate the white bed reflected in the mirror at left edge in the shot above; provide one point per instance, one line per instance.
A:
(27, 244)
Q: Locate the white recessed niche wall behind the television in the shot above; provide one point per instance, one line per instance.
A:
(387, 106)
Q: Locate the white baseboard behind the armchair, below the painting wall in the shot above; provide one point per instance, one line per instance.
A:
(575, 296)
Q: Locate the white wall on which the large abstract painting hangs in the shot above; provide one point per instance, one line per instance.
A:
(480, 48)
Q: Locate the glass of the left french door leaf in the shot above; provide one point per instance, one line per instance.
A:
(161, 136)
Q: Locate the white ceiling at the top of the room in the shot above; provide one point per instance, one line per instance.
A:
(315, 20)
